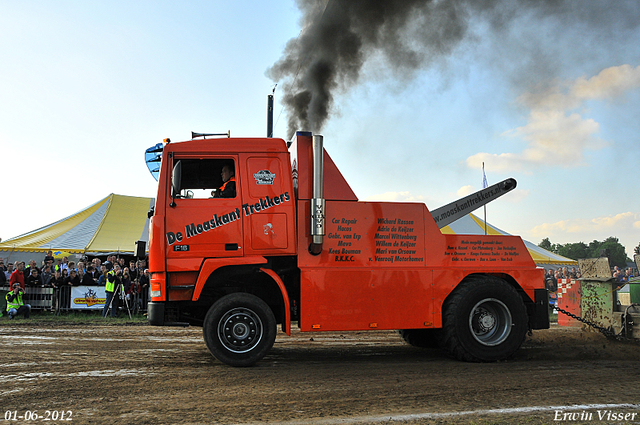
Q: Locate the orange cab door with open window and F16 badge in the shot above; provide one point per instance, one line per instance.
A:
(204, 219)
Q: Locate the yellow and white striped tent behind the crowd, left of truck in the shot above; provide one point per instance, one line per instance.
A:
(113, 224)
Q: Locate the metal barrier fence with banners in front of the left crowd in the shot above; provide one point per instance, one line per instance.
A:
(60, 299)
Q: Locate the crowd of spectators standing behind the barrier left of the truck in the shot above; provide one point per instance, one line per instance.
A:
(62, 273)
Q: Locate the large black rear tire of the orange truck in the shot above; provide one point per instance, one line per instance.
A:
(484, 320)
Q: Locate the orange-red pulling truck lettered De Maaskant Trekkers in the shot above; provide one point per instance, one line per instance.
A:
(294, 244)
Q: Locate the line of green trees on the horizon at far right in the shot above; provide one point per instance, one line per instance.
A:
(579, 250)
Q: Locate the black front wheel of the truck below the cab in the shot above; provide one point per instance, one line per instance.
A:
(239, 329)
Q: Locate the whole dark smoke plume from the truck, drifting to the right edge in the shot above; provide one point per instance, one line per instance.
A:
(339, 36)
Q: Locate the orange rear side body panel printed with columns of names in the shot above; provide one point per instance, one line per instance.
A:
(388, 266)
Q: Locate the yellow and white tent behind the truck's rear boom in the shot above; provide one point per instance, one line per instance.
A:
(472, 225)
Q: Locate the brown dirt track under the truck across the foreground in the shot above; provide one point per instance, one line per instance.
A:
(143, 374)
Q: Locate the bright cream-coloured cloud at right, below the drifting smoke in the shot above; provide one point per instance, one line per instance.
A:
(556, 134)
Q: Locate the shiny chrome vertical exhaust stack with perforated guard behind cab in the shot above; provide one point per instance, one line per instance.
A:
(317, 202)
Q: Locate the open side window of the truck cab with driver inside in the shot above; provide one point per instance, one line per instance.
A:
(205, 178)
